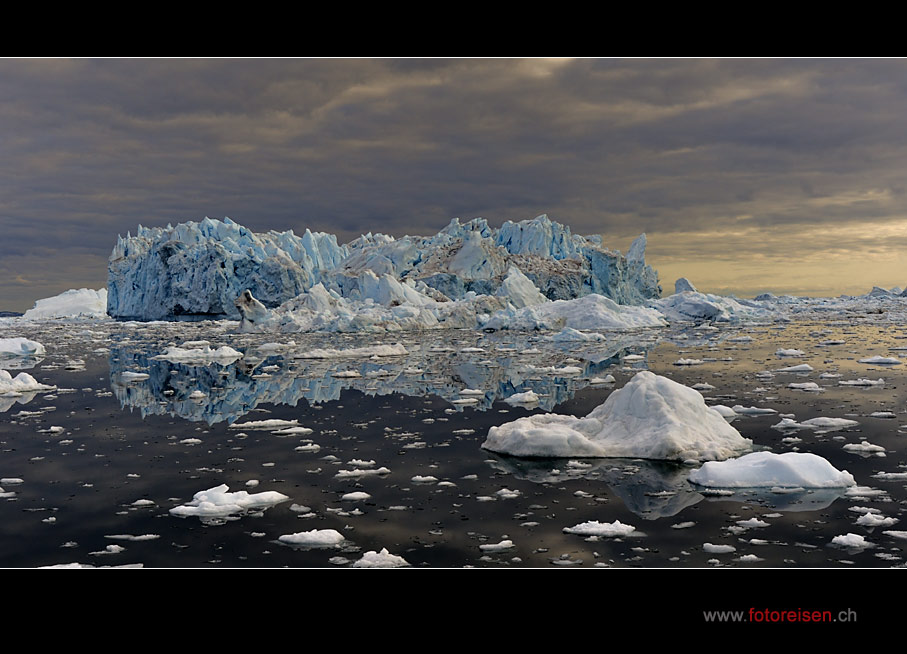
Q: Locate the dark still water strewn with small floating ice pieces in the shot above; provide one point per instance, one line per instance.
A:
(121, 443)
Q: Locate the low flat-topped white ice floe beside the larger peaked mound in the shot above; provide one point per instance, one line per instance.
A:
(769, 470)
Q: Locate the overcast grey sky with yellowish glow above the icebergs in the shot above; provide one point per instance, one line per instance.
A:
(782, 175)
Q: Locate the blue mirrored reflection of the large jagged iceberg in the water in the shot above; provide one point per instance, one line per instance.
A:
(492, 370)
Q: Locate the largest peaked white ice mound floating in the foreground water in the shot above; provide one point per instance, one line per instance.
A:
(651, 417)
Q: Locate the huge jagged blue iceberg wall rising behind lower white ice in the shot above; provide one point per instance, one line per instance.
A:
(201, 268)
